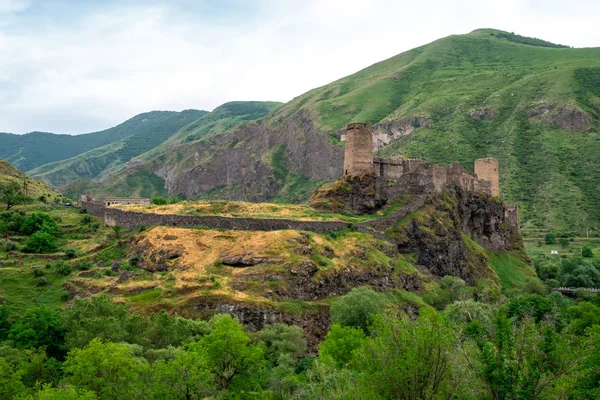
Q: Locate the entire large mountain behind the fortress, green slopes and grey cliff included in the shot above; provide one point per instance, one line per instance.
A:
(533, 105)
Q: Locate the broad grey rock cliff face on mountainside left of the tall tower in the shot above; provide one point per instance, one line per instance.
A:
(252, 163)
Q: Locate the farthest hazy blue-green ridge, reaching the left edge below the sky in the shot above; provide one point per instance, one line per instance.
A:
(34, 149)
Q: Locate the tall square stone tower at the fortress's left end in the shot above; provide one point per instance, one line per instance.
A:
(358, 155)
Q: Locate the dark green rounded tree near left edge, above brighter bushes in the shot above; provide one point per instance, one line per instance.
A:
(39, 327)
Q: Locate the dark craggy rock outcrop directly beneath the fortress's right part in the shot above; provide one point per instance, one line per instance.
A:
(449, 234)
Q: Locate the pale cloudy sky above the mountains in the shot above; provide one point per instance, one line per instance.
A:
(75, 66)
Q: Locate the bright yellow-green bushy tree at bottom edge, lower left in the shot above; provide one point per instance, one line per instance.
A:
(108, 369)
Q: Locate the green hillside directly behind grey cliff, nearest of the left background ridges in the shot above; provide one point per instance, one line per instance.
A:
(137, 177)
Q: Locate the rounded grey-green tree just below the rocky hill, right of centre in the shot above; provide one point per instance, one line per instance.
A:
(357, 308)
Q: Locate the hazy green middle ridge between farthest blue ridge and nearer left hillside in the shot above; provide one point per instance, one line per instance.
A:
(97, 161)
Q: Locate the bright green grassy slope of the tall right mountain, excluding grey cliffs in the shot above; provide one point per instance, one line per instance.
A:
(552, 173)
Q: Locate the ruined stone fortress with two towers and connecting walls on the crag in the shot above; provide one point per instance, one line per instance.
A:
(398, 176)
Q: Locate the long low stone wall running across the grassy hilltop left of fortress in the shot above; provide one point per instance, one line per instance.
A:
(131, 219)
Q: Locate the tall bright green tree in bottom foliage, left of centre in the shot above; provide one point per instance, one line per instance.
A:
(235, 362)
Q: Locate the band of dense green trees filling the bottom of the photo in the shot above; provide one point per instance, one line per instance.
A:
(532, 347)
